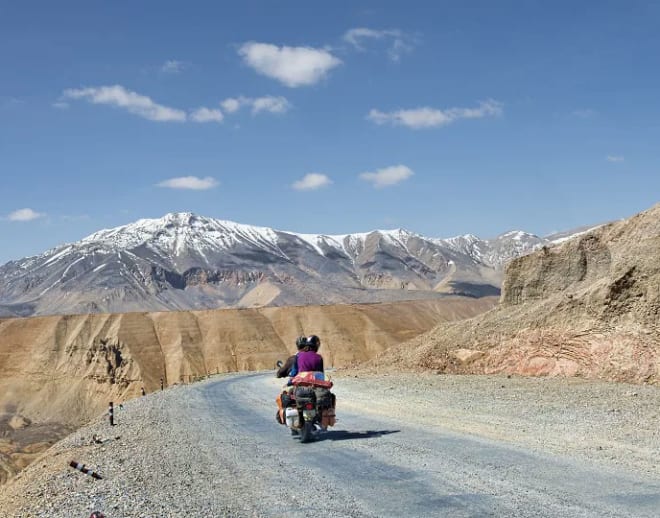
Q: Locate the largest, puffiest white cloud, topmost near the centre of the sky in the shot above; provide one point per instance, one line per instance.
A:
(292, 66)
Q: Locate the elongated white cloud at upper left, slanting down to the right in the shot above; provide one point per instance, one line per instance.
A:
(132, 102)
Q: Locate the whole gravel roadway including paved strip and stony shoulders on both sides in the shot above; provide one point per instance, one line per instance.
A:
(431, 446)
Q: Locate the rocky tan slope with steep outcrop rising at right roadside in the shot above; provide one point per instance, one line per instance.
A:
(589, 307)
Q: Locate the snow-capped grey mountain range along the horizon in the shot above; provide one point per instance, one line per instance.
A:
(186, 261)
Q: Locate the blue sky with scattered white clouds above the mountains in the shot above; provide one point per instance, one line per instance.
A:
(444, 118)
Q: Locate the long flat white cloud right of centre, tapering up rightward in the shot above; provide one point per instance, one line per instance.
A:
(426, 117)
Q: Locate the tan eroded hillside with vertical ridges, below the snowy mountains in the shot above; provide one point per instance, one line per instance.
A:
(57, 372)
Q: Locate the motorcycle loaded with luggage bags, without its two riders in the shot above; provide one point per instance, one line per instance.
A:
(306, 406)
